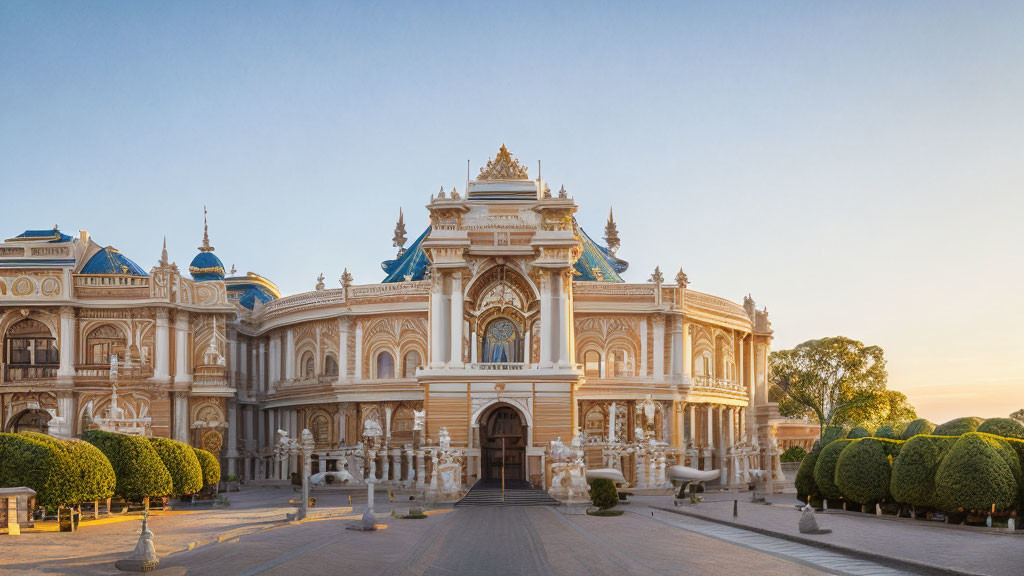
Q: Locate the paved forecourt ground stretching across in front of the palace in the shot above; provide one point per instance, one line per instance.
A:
(251, 538)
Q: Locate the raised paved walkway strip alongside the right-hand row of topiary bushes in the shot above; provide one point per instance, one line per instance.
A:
(961, 551)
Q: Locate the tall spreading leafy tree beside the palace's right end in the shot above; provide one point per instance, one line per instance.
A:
(837, 380)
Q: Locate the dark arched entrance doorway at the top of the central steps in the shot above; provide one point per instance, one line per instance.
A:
(503, 429)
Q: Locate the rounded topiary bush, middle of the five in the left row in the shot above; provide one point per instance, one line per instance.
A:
(140, 472)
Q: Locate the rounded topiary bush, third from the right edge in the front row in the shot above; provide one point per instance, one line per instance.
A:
(865, 470)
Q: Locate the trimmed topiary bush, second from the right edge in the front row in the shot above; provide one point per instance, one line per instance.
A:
(915, 470)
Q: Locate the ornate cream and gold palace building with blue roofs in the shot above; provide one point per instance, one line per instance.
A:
(504, 324)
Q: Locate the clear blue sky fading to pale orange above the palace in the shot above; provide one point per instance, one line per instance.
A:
(857, 167)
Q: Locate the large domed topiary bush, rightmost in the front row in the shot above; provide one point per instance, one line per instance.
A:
(979, 471)
